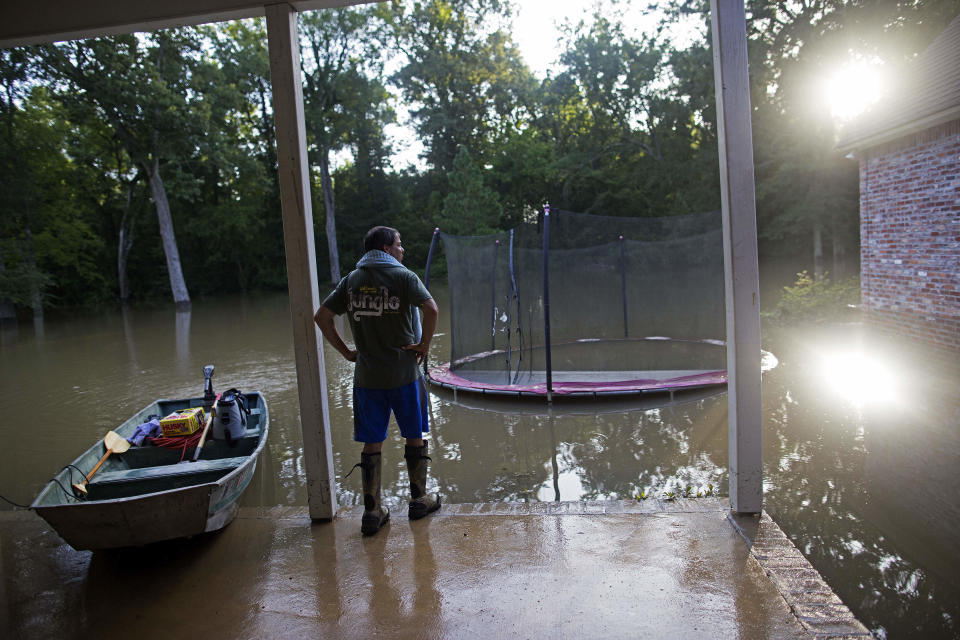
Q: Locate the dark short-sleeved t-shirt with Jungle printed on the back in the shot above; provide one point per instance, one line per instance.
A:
(380, 301)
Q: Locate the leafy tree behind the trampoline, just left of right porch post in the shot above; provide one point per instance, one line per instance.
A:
(629, 141)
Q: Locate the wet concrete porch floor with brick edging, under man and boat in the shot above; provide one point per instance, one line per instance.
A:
(654, 569)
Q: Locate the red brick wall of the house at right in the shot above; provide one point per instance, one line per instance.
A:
(910, 235)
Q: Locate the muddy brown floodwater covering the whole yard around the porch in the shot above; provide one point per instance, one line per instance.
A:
(861, 440)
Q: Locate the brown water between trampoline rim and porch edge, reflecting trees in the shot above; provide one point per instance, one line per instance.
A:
(523, 451)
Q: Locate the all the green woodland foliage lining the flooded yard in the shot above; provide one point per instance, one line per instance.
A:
(625, 124)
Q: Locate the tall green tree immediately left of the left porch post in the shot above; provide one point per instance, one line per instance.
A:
(236, 227)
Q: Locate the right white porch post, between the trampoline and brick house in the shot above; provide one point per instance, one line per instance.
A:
(741, 273)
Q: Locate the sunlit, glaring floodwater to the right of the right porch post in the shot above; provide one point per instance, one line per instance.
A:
(865, 483)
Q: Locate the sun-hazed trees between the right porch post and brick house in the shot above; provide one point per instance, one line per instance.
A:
(807, 192)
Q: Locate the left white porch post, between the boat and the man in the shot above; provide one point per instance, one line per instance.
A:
(301, 257)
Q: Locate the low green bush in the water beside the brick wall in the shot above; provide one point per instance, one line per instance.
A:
(813, 300)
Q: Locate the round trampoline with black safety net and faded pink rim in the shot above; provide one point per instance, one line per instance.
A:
(580, 305)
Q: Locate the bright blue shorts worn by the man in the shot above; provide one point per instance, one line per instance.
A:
(371, 412)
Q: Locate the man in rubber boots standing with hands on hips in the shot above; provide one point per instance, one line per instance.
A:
(380, 298)
